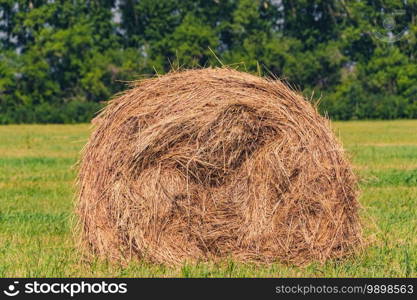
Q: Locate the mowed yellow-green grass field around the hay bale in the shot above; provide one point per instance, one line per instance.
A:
(37, 190)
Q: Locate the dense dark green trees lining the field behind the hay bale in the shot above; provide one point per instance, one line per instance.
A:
(60, 59)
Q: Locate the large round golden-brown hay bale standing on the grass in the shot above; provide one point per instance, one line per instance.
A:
(215, 163)
